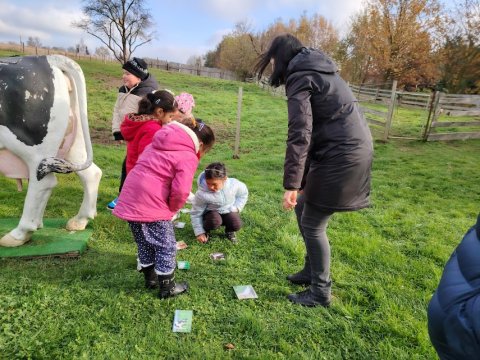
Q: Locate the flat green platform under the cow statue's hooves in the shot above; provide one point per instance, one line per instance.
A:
(52, 240)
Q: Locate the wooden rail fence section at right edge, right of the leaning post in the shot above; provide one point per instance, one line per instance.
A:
(453, 117)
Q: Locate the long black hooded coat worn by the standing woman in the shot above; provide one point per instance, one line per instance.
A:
(329, 147)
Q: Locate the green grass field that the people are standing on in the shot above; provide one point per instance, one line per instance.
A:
(386, 260)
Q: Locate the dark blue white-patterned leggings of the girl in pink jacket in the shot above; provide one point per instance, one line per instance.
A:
(156, 245)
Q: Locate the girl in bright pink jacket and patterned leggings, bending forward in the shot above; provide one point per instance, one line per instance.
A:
(155, 189)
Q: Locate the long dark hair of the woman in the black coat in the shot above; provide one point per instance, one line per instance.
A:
(282, 49)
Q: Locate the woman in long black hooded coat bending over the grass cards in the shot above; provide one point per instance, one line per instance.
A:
(328, 158)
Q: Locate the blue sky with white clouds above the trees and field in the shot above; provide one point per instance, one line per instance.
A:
(183, 27)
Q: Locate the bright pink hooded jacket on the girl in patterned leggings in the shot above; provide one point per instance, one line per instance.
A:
(160, 182)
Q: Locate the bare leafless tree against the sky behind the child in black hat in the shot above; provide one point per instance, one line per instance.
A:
(121, 25)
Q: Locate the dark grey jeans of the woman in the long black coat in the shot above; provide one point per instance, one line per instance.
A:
(312, 223)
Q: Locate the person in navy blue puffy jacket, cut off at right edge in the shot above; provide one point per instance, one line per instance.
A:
(454, 311)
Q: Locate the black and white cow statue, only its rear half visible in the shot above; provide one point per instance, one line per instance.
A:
(43, 130)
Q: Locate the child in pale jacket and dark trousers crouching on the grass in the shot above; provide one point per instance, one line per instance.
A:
(218, 201)
